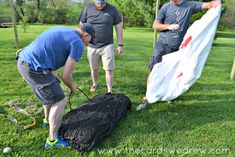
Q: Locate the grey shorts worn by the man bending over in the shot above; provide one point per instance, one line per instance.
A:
(43, 83)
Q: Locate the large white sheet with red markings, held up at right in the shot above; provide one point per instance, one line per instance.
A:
(179, 70)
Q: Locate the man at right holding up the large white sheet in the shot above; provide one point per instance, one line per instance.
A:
(173, 22)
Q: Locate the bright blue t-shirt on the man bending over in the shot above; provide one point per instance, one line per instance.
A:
(51, 49)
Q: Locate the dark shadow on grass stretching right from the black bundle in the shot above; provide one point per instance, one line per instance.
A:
(171, 121)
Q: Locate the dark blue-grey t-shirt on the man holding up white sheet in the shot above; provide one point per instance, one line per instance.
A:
(177, 14)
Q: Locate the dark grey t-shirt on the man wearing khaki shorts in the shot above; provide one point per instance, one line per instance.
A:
(103, 22)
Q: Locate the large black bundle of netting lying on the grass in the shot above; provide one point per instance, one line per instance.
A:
(89, 124)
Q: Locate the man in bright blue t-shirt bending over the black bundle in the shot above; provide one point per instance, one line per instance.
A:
(55, 48)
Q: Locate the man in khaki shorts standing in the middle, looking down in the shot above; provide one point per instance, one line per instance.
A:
(103, 16)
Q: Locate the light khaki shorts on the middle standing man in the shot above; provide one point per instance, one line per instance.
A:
(107, 55)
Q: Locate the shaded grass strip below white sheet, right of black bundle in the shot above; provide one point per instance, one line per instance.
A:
(172, 118)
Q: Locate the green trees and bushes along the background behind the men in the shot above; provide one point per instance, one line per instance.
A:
(139, 13)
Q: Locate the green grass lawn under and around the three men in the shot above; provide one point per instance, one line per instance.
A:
(201, 122)
